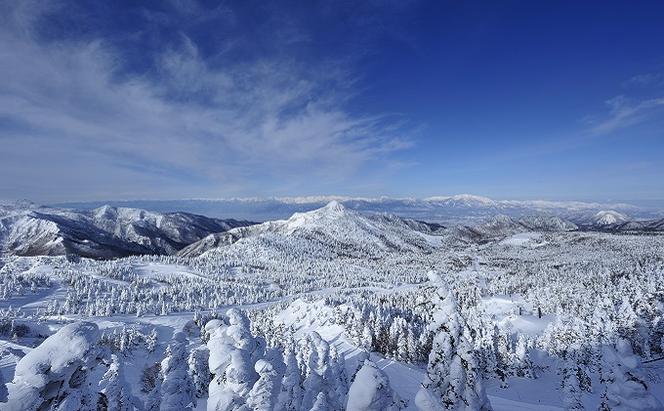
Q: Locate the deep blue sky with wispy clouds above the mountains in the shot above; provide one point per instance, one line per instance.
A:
(180, 99)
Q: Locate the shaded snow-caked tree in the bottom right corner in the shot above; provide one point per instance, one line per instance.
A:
(626, 389)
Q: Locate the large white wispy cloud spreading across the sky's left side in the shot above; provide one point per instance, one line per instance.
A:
(68, 119)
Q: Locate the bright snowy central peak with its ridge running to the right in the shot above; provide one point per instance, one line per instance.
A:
(337, 231)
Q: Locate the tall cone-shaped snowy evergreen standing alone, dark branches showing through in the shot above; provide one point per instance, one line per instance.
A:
(452, 381)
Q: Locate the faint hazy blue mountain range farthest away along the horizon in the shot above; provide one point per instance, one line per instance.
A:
(446, 210)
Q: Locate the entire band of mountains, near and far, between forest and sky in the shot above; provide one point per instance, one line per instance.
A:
(345, 224)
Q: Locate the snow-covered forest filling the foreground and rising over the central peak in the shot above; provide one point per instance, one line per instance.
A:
(337, 310)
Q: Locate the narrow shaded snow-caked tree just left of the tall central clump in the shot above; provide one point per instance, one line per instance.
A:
(177, 390)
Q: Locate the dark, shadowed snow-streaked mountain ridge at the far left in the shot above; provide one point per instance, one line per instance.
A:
(104, 232)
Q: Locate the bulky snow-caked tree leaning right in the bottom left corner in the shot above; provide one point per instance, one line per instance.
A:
(55, 375)
